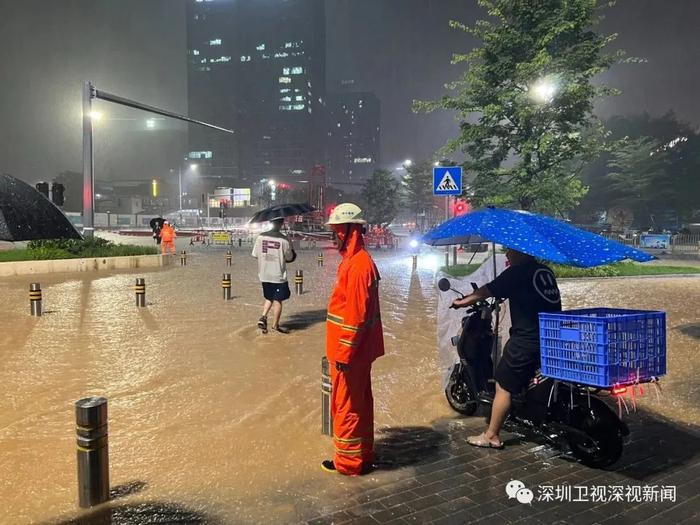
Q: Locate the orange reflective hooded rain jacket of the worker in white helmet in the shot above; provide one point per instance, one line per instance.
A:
(353, 323)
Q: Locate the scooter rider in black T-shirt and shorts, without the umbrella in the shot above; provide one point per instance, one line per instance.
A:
(531, 288)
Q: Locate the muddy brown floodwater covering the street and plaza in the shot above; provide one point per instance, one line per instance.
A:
(207, 413)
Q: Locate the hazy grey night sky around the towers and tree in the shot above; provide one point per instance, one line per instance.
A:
(400, 49)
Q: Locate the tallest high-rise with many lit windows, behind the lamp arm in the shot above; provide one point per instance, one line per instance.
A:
(257, 67)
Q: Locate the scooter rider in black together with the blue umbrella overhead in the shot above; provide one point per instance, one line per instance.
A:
(529, 285)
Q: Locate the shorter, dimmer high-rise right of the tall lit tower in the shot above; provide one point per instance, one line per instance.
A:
(352, 137)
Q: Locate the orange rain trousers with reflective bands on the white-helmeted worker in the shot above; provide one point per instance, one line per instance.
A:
(352, 408)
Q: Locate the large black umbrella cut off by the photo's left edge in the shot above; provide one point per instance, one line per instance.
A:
(26, 215)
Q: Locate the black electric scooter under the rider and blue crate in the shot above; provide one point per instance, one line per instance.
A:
(560, 413)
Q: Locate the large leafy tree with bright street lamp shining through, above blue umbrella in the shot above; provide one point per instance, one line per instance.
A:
(525, 102)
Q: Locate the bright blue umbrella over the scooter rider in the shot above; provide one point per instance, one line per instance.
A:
(538, 235)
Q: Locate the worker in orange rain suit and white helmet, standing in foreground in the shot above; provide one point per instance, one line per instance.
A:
(353, 341)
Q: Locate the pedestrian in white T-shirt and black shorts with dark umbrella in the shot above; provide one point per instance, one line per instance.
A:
(274, 251)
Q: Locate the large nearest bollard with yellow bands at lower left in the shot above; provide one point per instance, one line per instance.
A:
(92, 451)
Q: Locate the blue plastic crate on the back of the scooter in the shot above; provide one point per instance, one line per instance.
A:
(603, 347)
